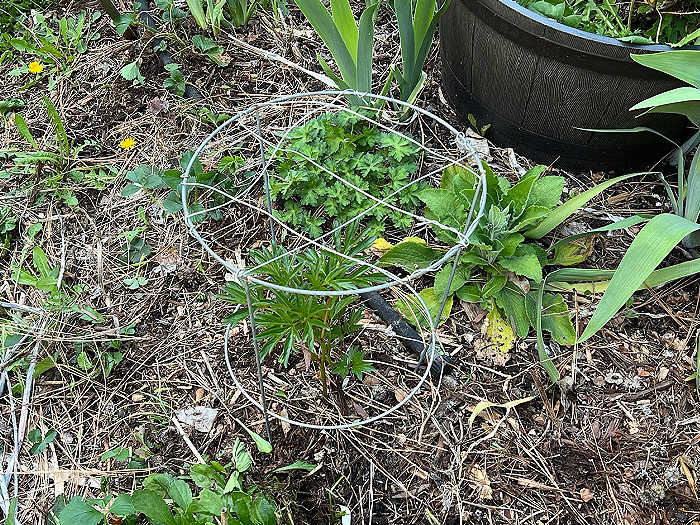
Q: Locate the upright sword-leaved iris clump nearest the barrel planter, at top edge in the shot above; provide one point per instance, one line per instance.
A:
(416, 31)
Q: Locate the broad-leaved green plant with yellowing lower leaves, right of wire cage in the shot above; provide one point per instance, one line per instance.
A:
(508, 269)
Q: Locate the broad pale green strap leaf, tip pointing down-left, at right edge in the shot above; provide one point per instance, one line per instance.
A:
(651, 246)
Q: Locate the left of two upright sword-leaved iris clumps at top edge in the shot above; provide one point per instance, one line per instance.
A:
(350, 45)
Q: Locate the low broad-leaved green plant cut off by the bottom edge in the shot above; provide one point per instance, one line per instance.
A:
(165, 500)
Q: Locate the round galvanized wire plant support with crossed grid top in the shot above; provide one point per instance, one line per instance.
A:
(246, 276)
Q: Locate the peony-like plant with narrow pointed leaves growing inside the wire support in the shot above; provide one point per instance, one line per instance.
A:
(321, 326)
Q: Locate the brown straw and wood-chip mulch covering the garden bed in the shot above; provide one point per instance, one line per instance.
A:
(620, 446)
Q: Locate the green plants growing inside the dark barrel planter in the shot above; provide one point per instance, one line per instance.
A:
(641, 24)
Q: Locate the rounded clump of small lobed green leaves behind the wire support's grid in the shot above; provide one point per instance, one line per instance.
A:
(378, 163)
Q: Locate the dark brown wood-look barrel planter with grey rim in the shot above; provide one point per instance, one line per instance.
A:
(536, 80)
